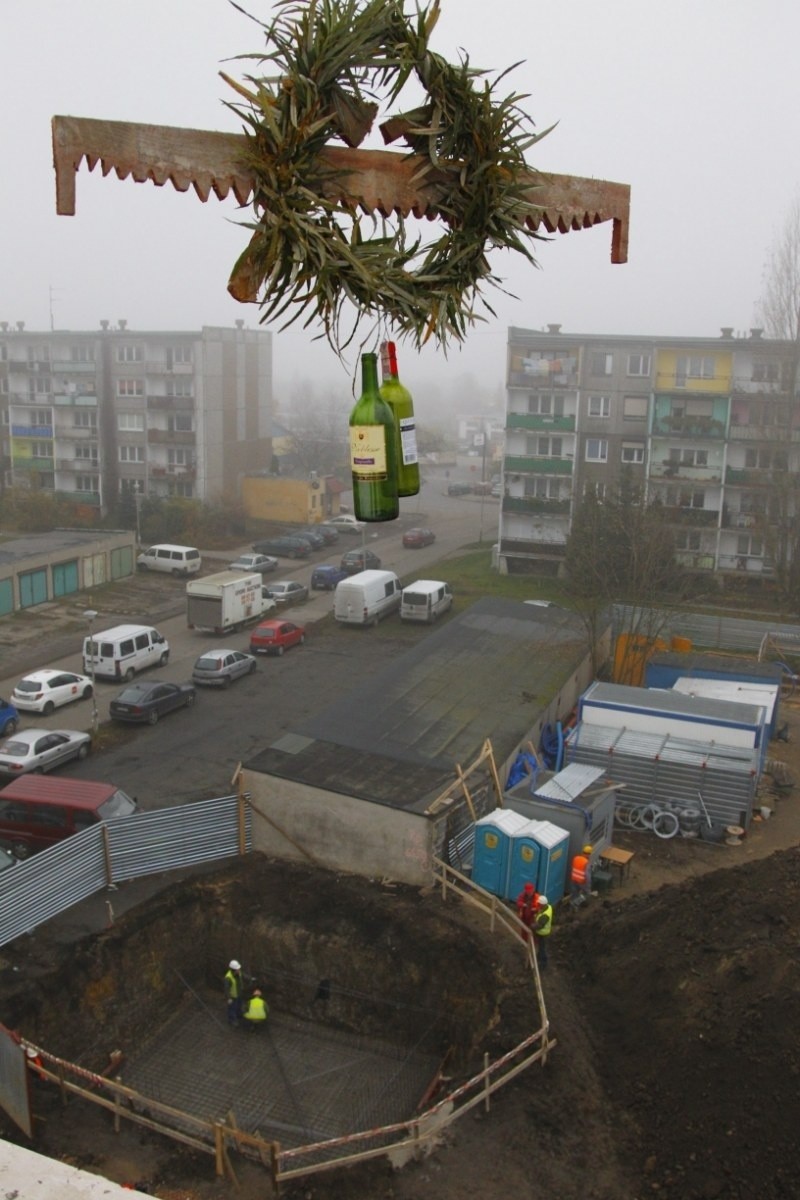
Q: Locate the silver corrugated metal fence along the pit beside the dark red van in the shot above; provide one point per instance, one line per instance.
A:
(112, 853)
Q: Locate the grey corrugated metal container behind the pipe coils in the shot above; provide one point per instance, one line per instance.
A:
(672, 772)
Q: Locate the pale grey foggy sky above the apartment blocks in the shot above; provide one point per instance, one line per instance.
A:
(695, 105)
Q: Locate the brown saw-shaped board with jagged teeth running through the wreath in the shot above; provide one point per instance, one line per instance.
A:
(372, 181)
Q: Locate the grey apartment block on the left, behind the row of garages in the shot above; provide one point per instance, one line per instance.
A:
(91, 416)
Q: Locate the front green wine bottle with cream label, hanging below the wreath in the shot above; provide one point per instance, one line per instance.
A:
(374, 451)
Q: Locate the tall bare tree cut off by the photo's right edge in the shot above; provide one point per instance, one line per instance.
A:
(779, 311)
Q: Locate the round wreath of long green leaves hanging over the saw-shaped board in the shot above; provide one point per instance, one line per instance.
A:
(330, 64)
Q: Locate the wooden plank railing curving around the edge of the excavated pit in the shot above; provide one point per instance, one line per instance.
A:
(404, 1139)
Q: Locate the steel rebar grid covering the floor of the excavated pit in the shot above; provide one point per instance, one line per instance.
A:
(294, 1082)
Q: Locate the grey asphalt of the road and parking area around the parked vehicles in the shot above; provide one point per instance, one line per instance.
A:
(193, 754)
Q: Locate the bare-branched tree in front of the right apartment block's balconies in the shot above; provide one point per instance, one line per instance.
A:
(622, 553)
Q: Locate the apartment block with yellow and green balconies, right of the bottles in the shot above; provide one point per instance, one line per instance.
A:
(706, 425)
